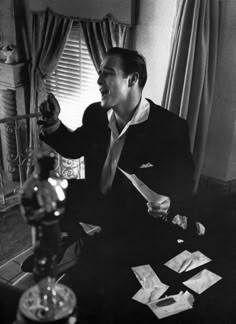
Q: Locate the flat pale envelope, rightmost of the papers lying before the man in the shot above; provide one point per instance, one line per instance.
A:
(202, 281)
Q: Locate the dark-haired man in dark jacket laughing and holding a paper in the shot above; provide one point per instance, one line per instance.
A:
(125, 132)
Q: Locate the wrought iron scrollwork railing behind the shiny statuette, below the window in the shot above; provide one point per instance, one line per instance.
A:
(20, 159)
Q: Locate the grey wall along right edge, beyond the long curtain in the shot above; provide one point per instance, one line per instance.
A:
(220, 161)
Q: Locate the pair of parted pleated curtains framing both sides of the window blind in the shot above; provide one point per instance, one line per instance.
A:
(49, 34)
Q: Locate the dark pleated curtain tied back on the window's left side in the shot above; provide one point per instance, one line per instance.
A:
(49, 33)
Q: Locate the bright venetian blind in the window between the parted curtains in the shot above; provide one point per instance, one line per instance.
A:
(74, 81)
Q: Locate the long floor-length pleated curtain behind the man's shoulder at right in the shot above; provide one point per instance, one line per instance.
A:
(191, 73)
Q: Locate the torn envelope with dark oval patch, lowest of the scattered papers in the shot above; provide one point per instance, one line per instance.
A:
(182, 302)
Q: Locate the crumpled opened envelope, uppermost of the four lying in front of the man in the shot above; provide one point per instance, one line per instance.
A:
(186, 261)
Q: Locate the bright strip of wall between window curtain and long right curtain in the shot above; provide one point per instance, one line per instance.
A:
(152, 37)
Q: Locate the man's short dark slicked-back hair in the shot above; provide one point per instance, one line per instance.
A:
(132, 62)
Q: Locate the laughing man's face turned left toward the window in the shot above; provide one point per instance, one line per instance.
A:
(113, 84)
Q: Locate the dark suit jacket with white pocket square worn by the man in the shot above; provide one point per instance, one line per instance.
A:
(162, 141)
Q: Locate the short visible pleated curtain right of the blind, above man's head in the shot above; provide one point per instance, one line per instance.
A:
(100, 35)
